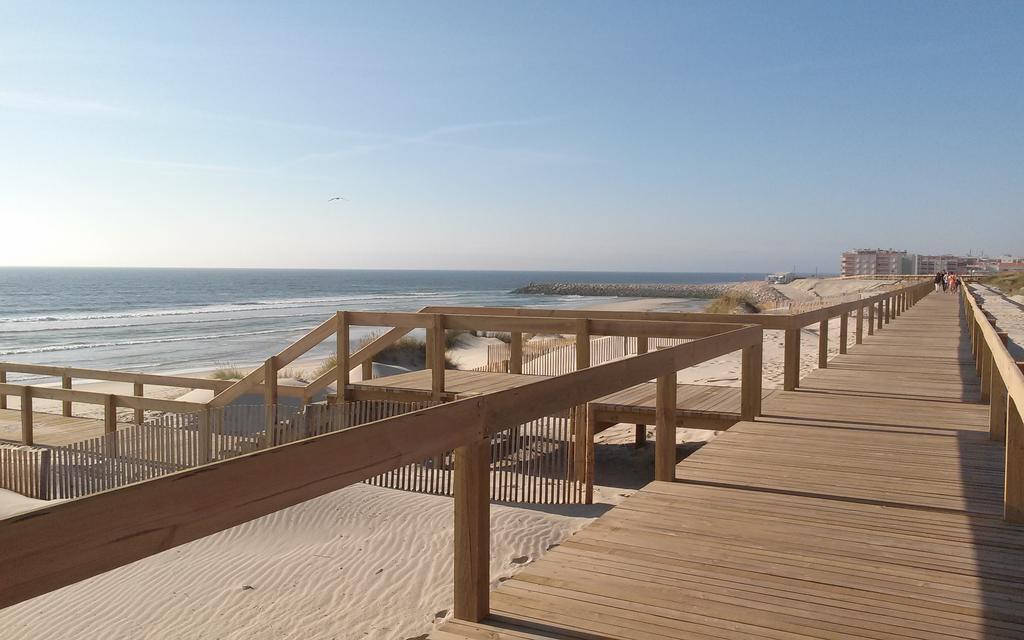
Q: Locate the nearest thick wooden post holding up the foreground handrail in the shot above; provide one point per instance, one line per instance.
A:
(473, 532)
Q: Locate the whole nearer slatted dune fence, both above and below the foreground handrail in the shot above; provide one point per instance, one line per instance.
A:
(530, 463)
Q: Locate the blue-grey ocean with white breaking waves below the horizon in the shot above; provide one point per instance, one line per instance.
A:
(180, 321)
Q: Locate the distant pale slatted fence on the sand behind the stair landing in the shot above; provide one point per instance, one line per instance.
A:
(559, 358)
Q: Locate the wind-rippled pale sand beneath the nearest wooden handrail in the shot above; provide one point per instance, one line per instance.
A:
(362, 563)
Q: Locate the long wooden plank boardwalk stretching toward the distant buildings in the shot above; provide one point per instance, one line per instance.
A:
(865, 505)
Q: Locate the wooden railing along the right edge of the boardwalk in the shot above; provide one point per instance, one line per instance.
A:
(1003, 389)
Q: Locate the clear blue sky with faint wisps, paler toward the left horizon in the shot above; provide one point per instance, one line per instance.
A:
(591, 136)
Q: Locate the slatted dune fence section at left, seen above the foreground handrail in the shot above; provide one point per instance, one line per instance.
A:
(174, 443)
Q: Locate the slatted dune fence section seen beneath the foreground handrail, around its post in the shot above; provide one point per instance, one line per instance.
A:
(530, 463)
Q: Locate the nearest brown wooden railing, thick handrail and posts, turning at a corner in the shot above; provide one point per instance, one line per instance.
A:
(49, 548)
